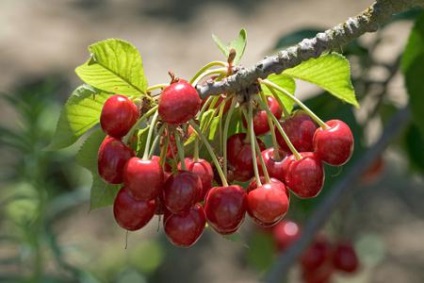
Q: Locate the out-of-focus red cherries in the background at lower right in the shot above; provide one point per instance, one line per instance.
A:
(322, 258)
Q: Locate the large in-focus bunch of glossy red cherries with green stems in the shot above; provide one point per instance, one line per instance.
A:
(238, 175)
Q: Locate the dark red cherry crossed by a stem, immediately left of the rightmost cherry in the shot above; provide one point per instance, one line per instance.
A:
(300, 128)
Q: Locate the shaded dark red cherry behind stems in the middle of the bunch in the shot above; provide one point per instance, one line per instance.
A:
(240, 156)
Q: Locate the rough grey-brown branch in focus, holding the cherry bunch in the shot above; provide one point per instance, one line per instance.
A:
(332, 39)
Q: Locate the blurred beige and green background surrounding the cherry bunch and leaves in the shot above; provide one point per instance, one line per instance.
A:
(48, 234)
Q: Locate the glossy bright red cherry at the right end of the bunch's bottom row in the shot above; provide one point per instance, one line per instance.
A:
(268, 203)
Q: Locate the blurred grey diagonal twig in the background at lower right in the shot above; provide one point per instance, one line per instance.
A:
(340, 190)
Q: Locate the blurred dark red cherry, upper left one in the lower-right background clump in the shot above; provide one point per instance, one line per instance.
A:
(317, 254)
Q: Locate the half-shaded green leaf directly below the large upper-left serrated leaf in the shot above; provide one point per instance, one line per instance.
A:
(80, 113)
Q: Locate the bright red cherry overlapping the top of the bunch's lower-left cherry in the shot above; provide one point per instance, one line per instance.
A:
(144, 178)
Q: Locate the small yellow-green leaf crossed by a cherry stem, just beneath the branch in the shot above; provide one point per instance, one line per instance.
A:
(285, 82)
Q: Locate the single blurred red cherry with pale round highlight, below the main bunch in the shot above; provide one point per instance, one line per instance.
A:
(285, 233)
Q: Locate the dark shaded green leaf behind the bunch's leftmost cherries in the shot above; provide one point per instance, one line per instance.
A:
(102, 194)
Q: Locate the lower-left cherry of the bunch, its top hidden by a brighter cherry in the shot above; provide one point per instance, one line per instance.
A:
(132, 214)
